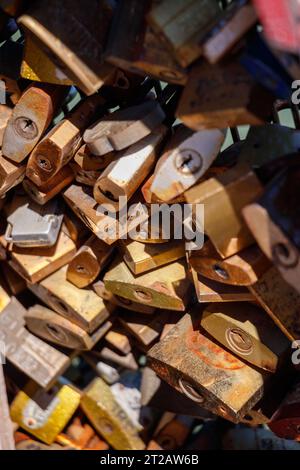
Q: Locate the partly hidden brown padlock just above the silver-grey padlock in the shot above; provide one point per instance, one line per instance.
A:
(42, 194)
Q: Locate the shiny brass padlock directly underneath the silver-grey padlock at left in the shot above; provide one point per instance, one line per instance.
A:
(34, 264)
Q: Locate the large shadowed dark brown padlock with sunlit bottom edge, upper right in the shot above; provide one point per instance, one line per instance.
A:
(220, 96)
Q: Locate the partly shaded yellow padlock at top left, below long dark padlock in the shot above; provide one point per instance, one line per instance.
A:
(37, 65)
